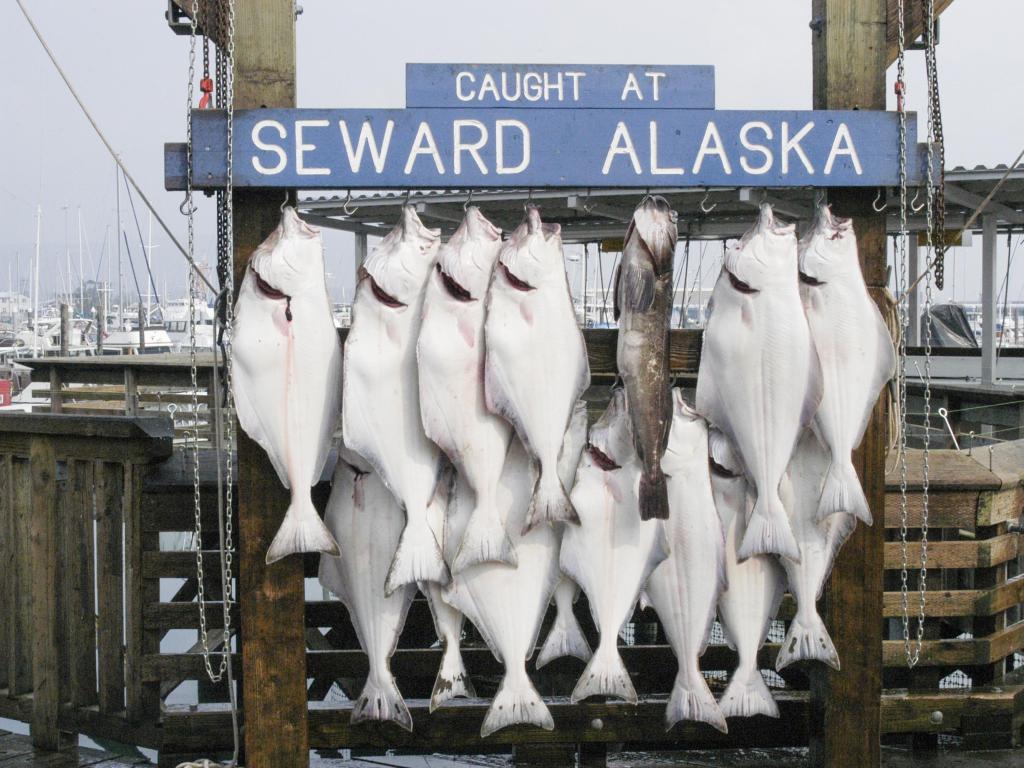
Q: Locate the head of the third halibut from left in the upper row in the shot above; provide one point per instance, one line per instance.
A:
(466, 262)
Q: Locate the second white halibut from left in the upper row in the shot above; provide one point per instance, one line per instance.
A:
(381, 404)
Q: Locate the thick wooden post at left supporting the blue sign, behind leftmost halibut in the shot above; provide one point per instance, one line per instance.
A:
(272, 598)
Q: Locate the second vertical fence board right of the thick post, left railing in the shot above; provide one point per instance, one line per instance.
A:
(110, 583)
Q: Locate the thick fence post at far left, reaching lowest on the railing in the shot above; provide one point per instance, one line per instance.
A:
(47, 681)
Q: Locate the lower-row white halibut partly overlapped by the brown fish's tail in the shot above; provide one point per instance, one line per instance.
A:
(613, 551)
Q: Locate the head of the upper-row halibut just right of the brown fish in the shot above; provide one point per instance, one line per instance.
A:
(764, 258)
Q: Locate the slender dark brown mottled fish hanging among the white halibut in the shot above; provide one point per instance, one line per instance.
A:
(644, 309)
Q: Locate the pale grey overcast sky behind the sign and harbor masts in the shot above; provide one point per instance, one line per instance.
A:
(132, 71)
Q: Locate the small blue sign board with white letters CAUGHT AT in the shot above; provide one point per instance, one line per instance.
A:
(574, 87)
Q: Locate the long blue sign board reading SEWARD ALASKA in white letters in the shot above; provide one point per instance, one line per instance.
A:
(462, 148)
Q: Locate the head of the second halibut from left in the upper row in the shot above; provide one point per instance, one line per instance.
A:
(399, 267)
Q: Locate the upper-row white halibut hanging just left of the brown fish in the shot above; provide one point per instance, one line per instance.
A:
(537, 366)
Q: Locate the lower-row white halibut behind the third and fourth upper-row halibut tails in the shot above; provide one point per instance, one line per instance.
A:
(507, 604)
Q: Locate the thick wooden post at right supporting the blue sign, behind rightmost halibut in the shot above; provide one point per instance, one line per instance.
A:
(849, 55)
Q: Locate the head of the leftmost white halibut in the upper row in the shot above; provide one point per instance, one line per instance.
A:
(290, 262)
